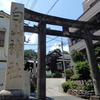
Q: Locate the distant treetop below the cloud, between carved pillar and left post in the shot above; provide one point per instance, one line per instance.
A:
(29, 54)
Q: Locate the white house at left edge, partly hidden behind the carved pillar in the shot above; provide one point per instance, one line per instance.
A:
(4, 30)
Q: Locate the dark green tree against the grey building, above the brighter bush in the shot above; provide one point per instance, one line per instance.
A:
(77, 56)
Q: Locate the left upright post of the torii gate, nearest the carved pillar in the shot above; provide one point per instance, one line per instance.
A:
(41, 69)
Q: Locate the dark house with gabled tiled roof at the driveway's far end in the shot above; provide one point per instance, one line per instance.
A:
(54, 60)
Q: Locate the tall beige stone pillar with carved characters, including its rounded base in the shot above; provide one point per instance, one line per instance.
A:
(15, 57)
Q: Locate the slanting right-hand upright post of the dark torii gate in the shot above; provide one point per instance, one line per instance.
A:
(92, 62)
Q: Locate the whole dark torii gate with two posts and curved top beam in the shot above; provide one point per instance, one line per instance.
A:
(85, 28)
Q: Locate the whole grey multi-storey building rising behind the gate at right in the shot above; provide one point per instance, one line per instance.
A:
(91, 14)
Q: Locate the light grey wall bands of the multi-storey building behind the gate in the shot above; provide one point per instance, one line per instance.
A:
(89, 16)
